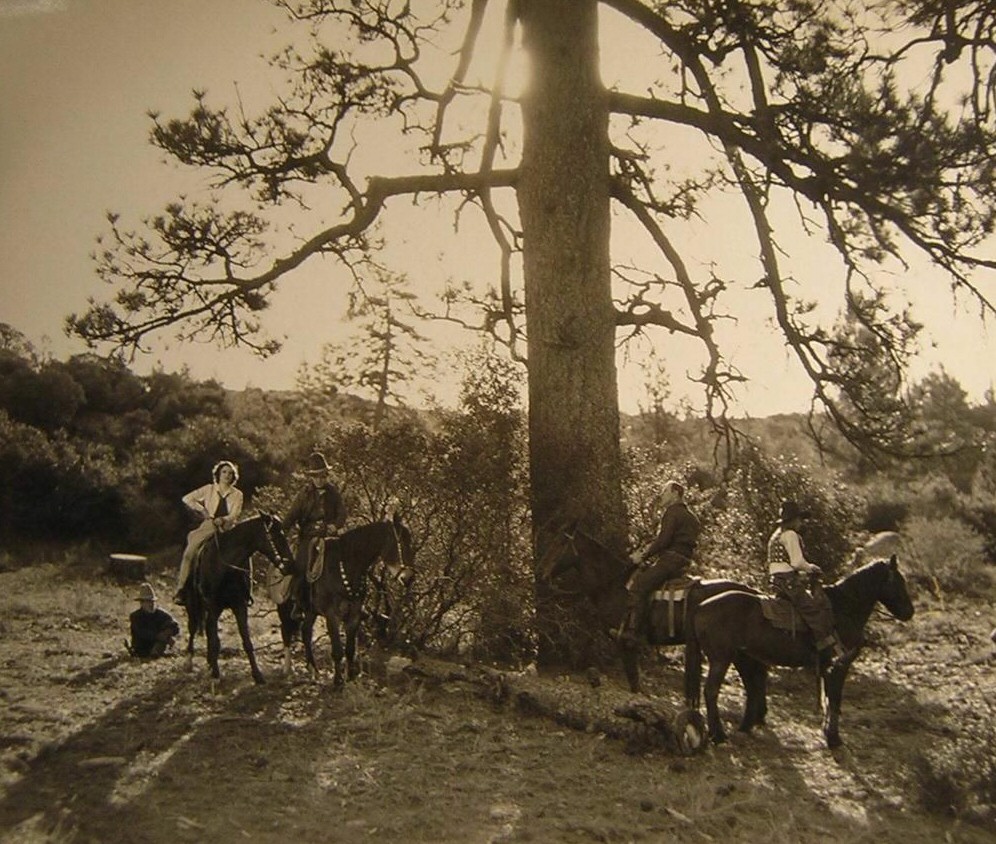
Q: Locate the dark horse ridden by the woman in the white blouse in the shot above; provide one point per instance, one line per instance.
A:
(222, 580)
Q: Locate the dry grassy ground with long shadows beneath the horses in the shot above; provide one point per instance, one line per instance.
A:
(96, 747)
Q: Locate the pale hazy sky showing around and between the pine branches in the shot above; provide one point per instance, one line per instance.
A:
(77, 78)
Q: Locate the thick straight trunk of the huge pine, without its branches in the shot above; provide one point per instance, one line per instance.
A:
(575, 461)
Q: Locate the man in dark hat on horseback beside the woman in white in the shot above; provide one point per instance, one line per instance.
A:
(318, 512)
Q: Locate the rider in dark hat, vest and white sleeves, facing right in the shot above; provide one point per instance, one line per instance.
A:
(790, 573)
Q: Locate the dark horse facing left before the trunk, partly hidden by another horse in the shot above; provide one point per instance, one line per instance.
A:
(602, 576)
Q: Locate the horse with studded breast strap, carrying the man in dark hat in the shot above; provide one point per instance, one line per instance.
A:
(340, 589)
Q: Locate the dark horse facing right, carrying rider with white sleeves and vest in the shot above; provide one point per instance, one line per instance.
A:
(730, 625)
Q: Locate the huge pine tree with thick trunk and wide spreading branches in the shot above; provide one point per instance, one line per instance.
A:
(867, 127)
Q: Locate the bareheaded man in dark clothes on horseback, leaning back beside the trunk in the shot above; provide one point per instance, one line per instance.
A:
(667, 557)
